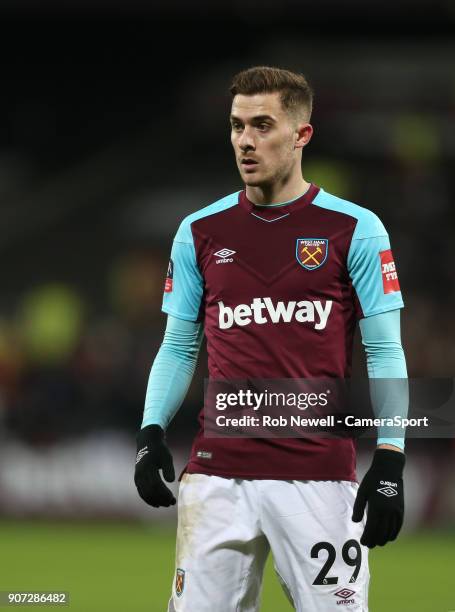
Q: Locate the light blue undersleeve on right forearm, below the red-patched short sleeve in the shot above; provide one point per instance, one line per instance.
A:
(381, 338)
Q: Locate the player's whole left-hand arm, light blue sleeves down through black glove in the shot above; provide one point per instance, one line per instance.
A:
(172, 369)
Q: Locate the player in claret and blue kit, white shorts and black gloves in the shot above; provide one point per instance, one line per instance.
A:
(279, 240)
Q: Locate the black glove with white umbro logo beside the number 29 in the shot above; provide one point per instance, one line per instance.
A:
(382, 488)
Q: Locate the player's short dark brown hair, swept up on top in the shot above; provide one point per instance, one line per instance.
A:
(295, 93)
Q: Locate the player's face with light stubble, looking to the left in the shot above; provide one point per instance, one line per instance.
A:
(264, 138)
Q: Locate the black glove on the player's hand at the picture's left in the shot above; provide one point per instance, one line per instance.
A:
(153, 455)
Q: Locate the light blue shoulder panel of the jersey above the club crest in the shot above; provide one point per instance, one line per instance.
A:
(368, 225)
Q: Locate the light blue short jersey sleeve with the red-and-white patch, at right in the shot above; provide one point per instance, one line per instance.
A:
(366, 268)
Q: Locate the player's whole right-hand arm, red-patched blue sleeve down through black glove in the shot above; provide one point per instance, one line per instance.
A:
(378, 298)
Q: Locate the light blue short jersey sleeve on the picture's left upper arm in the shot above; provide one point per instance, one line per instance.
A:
(184, 283)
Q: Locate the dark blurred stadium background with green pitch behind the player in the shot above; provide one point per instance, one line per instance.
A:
(113, 127)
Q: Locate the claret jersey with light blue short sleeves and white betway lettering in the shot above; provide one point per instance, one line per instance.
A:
(279, 291)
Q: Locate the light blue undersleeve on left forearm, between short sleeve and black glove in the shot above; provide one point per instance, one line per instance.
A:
(172, 371)
